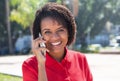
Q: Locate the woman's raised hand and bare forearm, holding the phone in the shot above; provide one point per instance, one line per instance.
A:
(38, 51)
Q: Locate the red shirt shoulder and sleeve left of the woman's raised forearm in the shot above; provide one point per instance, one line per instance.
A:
(30, 69)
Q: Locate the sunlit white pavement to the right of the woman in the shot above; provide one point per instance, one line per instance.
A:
(105, 67)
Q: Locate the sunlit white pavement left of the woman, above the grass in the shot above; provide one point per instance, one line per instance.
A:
(12, 64)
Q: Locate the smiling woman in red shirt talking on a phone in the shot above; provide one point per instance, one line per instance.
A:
(57, 27)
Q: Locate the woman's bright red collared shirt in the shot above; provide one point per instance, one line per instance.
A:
(73, 67)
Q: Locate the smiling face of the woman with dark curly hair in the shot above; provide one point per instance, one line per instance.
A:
(55, 35)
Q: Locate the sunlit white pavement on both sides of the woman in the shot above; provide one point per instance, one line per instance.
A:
(103, 67)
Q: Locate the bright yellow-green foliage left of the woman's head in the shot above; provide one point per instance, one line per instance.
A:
(24, 11)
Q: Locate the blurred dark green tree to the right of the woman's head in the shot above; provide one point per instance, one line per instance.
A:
(93, 15)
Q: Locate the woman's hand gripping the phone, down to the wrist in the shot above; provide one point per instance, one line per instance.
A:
(38, 51)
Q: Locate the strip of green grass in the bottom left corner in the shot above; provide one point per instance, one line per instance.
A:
(4, 77)
